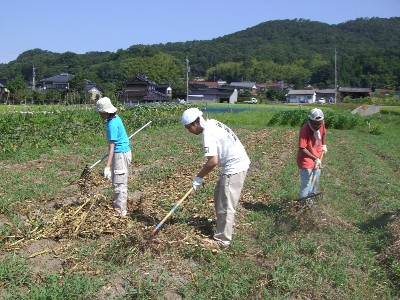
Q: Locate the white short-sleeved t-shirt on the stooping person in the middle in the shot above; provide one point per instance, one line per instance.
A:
(219, 140)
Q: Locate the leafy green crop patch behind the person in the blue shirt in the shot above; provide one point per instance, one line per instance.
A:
(39, 130)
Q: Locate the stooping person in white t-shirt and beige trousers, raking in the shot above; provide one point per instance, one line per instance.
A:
(222, 148)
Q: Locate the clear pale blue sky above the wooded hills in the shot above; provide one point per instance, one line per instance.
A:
(81, 26)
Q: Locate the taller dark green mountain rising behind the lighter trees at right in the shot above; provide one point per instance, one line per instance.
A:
(284, 41)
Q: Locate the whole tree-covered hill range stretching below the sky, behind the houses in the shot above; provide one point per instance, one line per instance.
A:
(298, 51)
